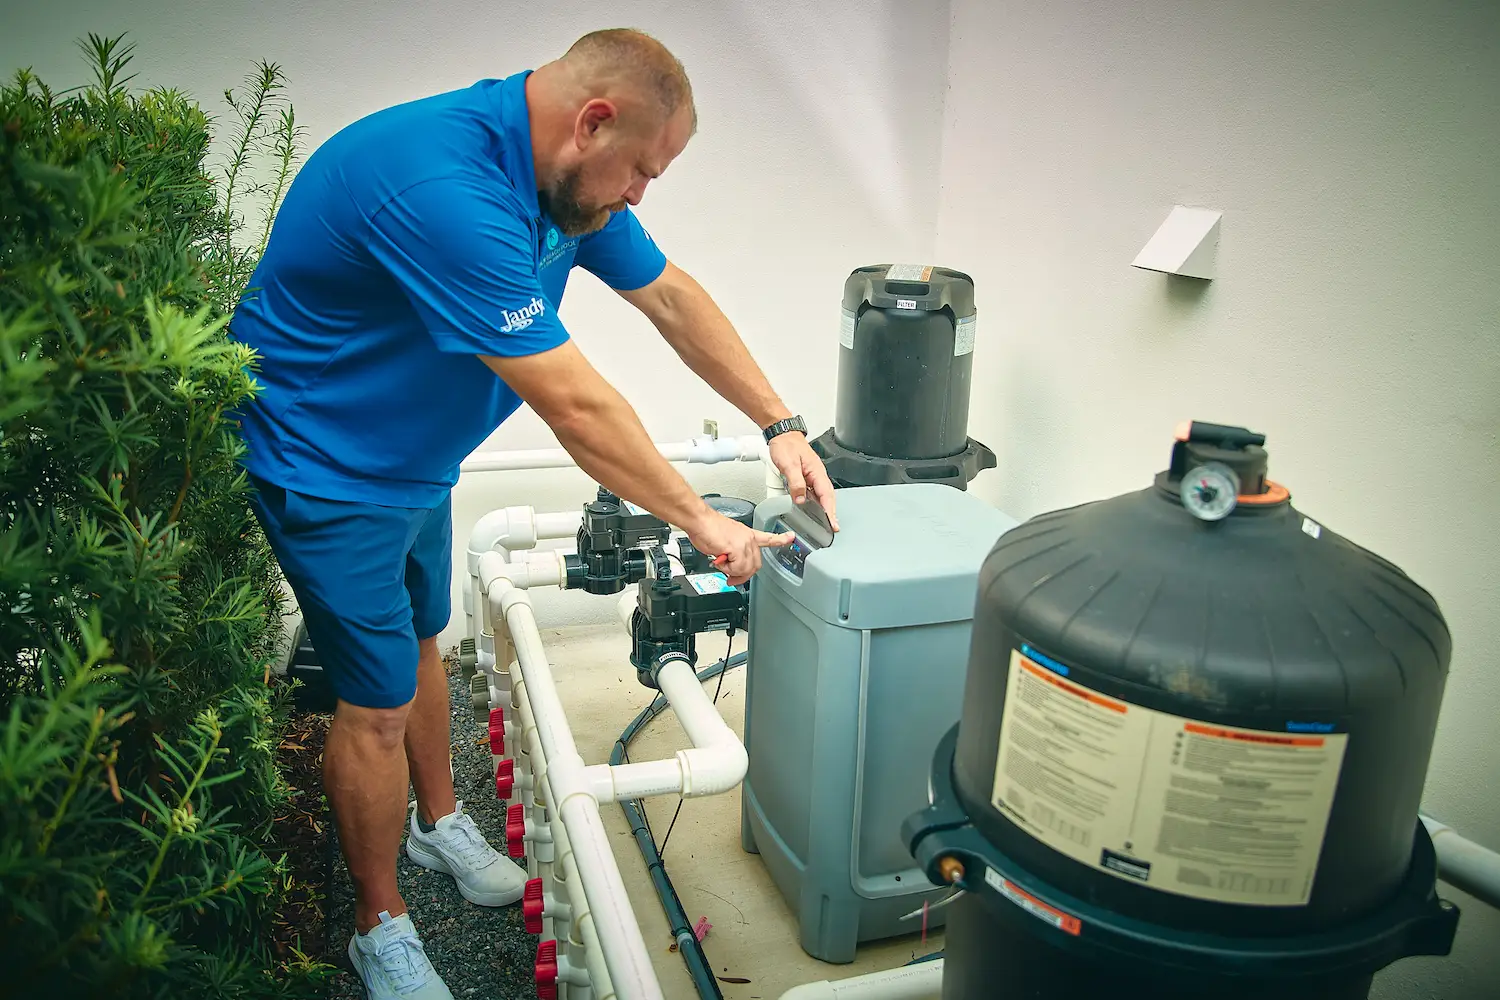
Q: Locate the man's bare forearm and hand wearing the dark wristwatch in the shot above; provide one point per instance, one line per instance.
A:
(698, 331)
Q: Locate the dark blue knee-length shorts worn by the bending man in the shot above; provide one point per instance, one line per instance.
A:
(370, 581)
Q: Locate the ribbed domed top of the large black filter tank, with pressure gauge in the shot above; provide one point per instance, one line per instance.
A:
(1211, 590)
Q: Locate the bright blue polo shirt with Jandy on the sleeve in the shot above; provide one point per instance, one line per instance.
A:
(410, 244)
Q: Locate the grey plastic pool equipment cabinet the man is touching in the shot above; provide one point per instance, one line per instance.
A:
(857, 657)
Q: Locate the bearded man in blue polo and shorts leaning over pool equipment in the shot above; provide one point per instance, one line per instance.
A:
(404, 308)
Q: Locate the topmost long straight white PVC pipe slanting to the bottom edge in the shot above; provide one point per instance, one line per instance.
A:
(574, 803)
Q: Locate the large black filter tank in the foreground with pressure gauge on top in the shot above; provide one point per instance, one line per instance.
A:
(1192, 756)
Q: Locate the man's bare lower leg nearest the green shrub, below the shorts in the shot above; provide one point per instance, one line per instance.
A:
(365, 776)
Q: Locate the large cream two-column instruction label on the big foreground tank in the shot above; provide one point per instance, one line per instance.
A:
(1193, 809)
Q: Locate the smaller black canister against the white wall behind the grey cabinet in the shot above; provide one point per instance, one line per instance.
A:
(905, 371)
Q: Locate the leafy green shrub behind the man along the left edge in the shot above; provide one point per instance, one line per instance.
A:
(140, 606)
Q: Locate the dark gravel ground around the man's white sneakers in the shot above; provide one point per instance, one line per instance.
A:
(482, 953)
